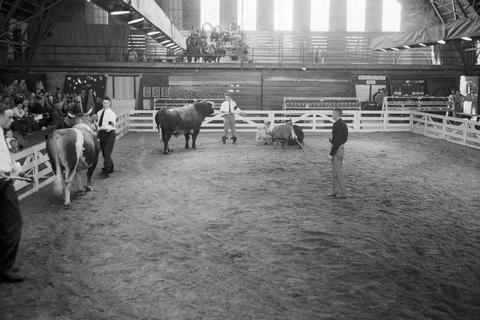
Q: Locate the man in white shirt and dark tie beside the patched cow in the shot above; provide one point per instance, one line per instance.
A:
(106, 134)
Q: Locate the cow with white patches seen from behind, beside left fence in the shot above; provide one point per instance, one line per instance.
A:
(71, 151)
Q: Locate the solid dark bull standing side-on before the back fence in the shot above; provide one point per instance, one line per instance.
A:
(185, 120)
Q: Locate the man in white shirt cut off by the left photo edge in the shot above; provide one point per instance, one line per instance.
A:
(10, 215)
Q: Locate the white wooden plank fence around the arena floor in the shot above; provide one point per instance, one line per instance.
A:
(35, 162)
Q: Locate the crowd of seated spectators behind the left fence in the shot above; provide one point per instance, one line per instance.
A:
(35, 109)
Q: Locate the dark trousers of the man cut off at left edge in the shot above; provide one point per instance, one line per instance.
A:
(10, 224)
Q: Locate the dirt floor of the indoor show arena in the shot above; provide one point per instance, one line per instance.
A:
(248, 231)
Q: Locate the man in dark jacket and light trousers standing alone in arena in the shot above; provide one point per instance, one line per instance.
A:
(337, 152)
